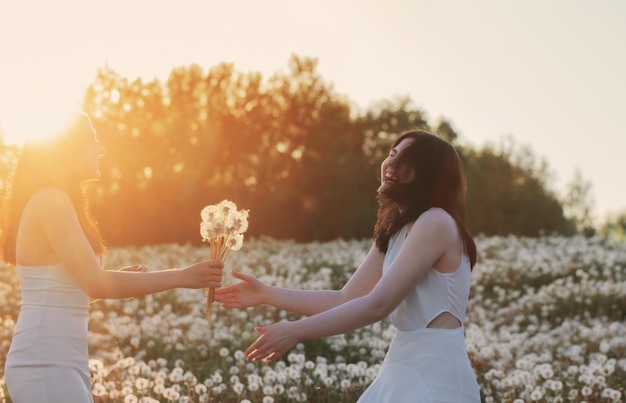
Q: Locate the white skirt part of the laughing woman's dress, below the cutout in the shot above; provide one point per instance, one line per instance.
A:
(427, 366)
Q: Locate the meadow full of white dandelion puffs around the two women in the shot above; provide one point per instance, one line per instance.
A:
(546, 323)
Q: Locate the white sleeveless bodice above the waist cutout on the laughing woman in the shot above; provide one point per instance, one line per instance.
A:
(436, 293)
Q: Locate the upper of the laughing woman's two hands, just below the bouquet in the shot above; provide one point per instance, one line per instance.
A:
(246, 293)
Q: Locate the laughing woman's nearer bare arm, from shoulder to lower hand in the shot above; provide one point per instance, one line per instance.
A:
(426, 242)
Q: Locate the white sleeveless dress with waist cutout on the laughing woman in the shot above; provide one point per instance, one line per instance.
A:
(427, 365)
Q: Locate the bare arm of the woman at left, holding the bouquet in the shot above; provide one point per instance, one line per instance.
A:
(61, 227)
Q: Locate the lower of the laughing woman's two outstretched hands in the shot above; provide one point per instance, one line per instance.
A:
(275, 339)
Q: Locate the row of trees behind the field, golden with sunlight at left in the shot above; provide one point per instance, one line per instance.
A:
(299, 156)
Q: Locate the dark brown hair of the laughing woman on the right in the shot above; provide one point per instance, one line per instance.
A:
(439, 182)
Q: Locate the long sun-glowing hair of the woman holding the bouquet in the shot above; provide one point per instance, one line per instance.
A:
(47, 164)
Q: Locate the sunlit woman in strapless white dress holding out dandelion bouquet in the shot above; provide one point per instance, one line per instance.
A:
(55, 246)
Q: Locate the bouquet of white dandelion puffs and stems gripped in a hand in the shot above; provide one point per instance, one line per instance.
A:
(222, 227)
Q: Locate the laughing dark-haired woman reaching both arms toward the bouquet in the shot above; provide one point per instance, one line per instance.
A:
(417, 273)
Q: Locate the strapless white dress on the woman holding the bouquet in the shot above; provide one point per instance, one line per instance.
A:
(48, 359)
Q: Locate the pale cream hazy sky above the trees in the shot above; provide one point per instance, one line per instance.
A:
(548, 73)
